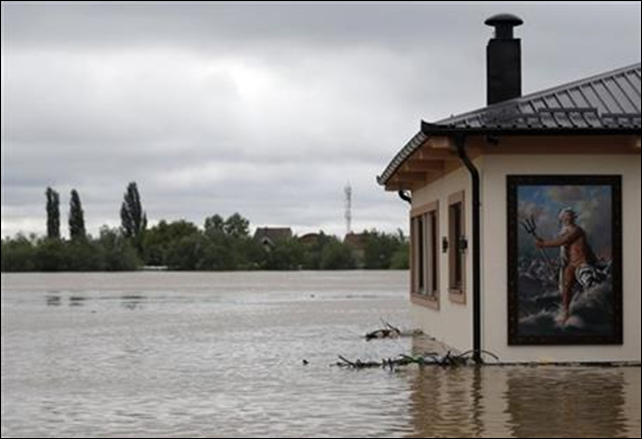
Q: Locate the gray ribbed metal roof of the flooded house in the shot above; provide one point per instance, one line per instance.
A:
(608, 104)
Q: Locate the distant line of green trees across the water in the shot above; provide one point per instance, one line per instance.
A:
(221, 244)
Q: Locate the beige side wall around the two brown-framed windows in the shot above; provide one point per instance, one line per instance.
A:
(452, 323)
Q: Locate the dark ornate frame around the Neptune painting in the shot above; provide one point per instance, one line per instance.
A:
(514, 182)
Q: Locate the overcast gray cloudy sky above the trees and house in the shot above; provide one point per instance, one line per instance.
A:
(264, 109)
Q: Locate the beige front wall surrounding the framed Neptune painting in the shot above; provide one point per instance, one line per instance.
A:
(494, 256)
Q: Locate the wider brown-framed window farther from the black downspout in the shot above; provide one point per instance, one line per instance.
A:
(425, 255)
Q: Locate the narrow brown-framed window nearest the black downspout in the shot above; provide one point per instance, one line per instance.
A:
(457, 248)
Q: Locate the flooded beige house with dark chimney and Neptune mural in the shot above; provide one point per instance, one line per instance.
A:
(525, 216)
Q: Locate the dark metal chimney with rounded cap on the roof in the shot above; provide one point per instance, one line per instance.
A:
(503, 60)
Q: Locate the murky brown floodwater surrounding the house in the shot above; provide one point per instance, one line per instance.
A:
(221, 355)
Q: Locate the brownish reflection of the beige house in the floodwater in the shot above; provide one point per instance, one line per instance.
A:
(520, 402)
